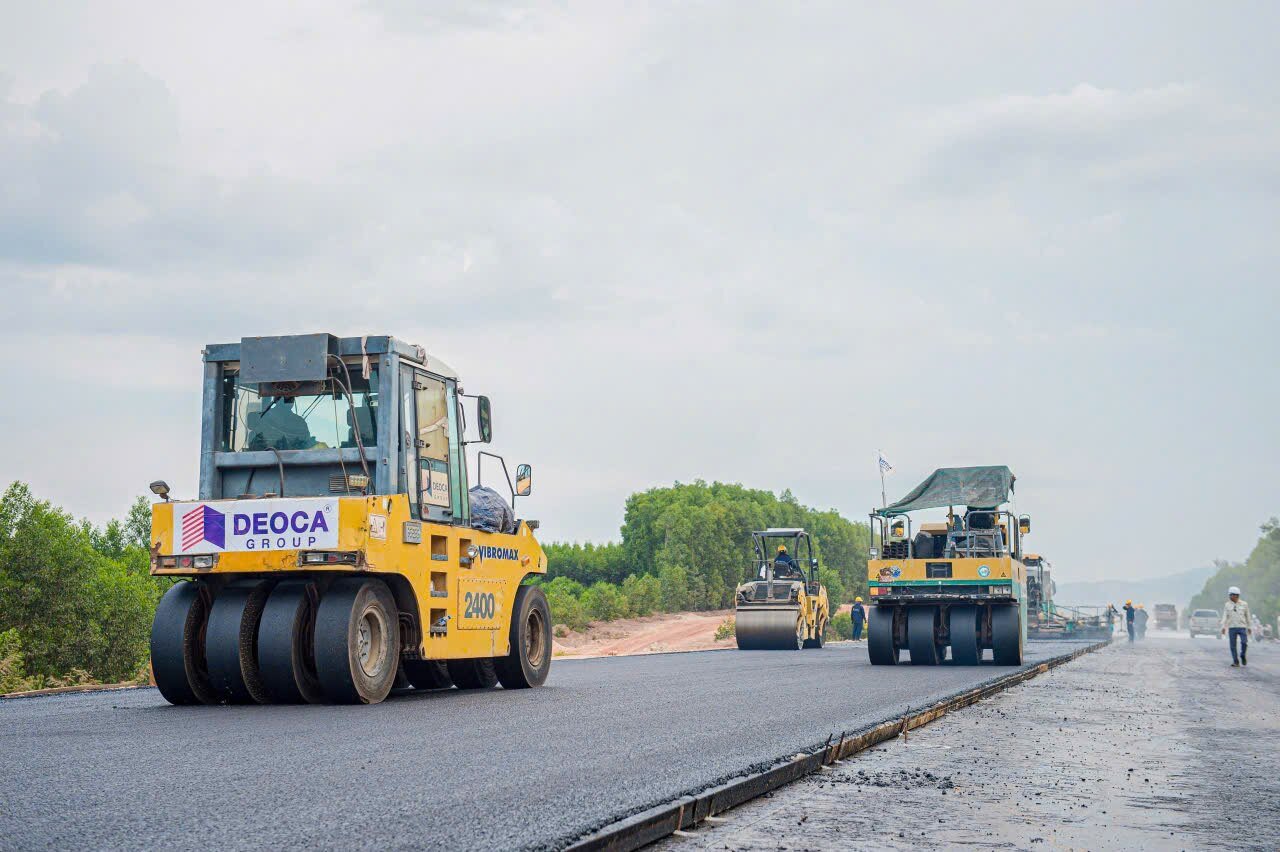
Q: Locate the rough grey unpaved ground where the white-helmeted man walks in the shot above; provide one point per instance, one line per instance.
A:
(1154, 746)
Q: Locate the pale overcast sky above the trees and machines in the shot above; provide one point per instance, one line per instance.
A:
(726, 241)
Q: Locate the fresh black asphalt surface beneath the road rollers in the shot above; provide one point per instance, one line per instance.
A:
(460, 771)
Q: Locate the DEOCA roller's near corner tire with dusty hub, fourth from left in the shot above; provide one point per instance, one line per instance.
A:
(346, 611)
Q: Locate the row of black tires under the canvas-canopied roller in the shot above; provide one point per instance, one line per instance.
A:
(921, 631)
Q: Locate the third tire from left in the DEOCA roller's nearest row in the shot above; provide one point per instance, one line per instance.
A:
(286, 652)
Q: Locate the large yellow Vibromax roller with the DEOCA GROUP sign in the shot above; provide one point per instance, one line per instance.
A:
(335, 548)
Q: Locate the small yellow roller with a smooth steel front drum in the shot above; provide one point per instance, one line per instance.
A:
(785, 607)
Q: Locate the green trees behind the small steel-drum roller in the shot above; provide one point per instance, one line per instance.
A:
(688, 547)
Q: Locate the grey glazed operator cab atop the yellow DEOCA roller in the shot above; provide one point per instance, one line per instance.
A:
(324, 416)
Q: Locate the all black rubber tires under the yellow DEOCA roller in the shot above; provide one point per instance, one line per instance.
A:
(260, 642)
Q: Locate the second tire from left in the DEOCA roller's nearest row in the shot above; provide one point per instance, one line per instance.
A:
(231, 643)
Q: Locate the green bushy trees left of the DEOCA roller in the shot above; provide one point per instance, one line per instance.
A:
(76, 601)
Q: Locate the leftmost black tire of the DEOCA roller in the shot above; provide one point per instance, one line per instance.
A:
(179, 645)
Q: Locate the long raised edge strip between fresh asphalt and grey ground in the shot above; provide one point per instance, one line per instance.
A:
(688, 812)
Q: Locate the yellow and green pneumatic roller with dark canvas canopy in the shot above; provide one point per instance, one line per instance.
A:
(961, 584)
